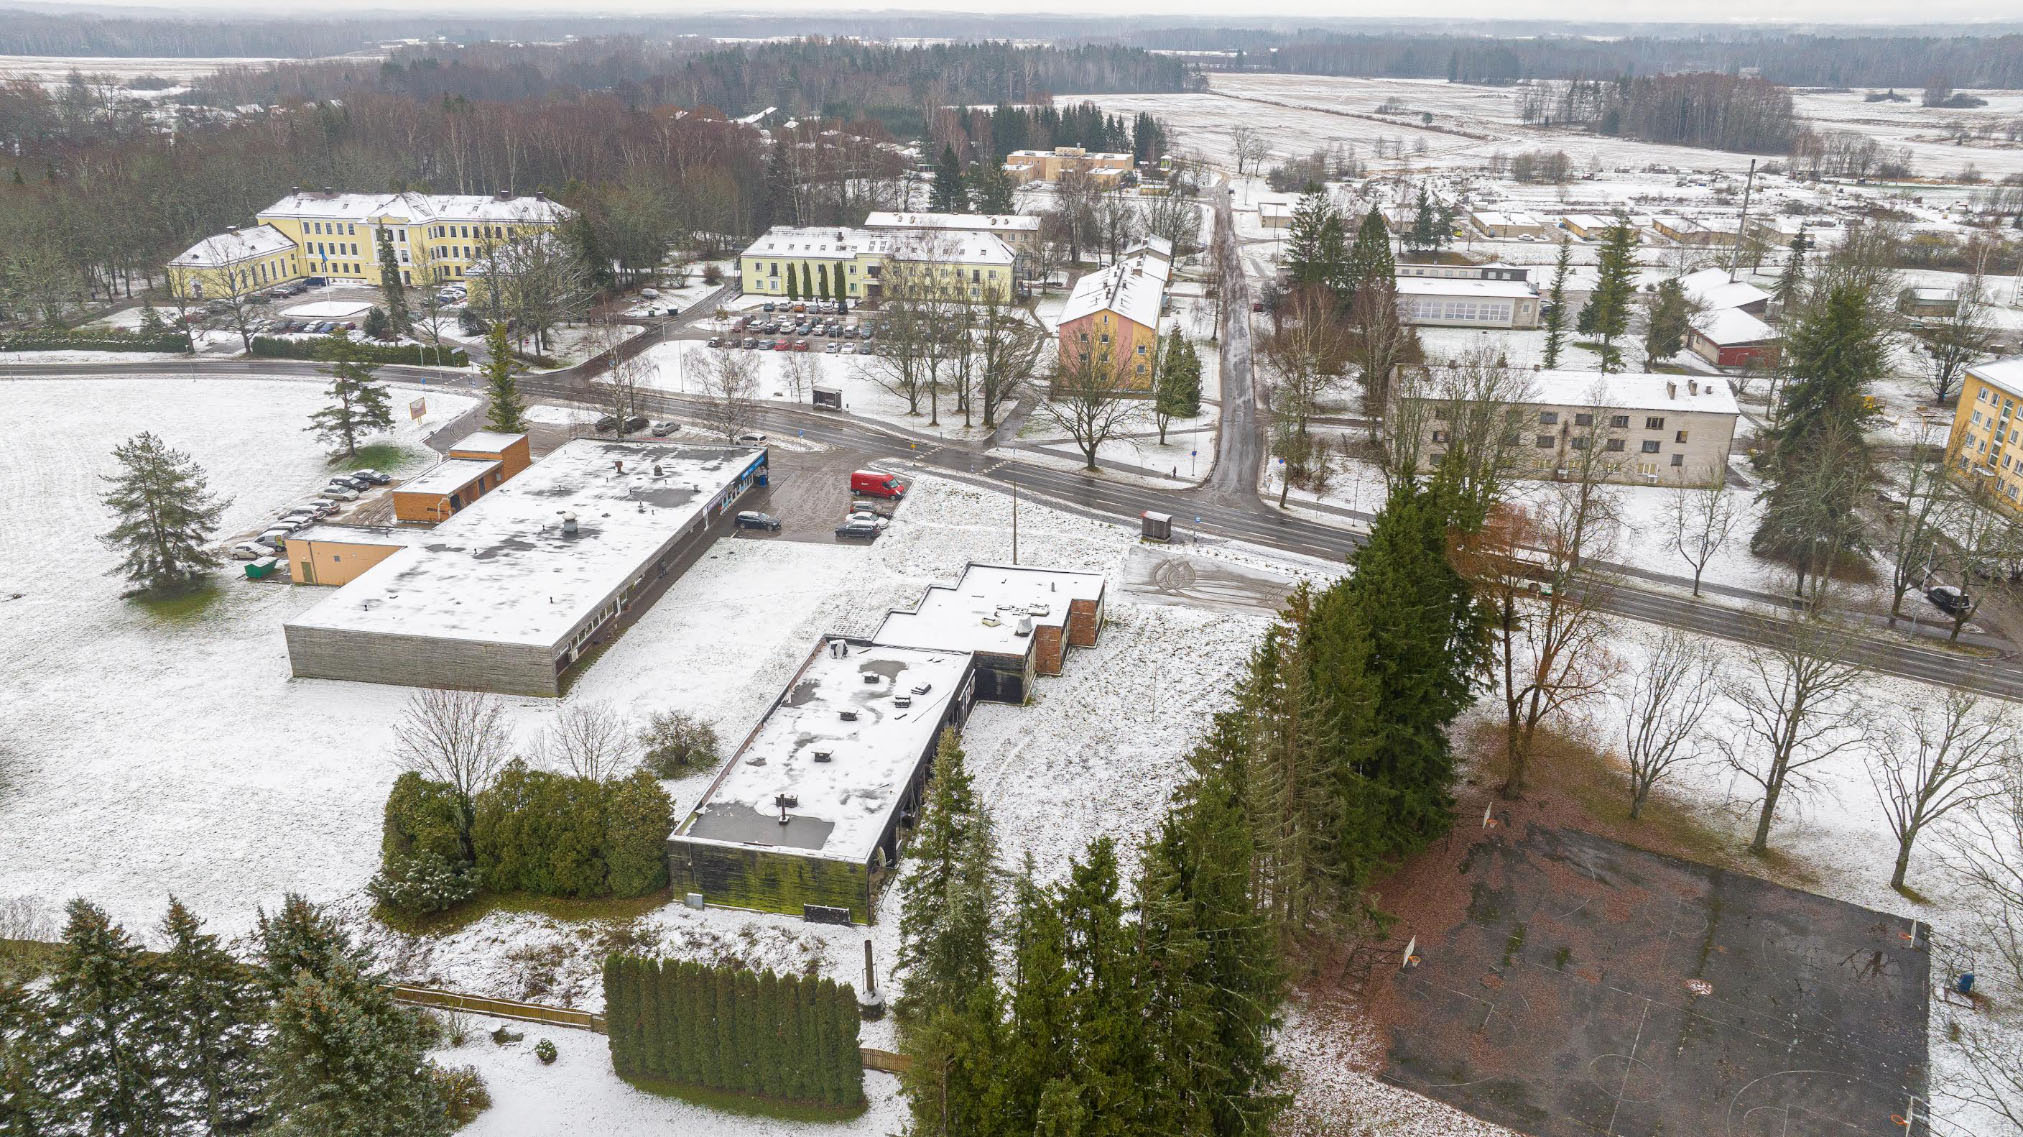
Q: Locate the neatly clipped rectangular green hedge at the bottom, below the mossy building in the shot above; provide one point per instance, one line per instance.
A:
(772, 1037)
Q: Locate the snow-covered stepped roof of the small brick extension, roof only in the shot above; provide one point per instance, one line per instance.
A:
(986, 610)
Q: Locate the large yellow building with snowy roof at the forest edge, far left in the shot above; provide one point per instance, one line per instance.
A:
(335, 236)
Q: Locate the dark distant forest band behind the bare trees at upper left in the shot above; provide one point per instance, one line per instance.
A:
(841, 80)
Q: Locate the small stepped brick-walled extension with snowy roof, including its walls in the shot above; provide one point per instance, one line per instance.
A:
(1019, 622)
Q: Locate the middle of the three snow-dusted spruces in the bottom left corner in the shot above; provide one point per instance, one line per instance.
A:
(215, 1017)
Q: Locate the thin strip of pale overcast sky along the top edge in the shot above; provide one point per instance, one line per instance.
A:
(1601, 11)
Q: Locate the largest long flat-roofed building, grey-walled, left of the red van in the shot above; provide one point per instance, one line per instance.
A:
(509, 594)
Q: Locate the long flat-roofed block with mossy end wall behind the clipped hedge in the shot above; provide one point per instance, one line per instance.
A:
(806, 818)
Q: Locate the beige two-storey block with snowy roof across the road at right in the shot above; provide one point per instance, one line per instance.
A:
(1654, 428)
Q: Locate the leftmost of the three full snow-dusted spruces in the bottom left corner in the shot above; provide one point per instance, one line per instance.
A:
(106, 1027)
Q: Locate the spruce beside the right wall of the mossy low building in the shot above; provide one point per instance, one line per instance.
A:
(950, 899)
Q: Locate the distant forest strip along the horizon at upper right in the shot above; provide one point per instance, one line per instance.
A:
(1789, 60)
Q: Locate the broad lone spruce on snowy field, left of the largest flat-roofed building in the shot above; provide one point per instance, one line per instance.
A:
(165, 517)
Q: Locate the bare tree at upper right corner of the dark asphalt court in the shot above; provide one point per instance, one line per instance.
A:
(1935, 758)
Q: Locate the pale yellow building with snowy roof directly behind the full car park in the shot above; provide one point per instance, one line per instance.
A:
(863, 264)
